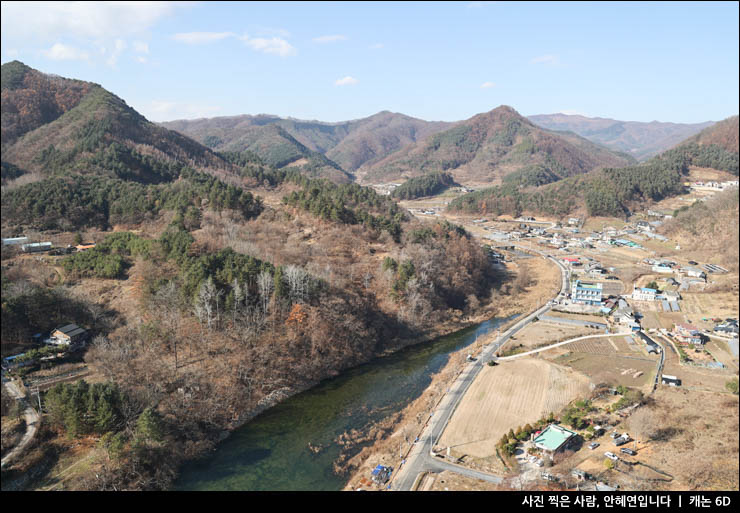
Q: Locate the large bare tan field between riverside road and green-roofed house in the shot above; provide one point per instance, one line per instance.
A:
(504, 397)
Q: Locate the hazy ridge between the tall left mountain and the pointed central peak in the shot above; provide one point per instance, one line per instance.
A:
(349, 144)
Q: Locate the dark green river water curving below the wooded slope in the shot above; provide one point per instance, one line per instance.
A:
(271, 451)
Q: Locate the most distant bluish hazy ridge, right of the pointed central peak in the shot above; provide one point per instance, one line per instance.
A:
(639, 139)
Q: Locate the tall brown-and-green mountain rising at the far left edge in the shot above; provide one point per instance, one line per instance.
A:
(89, 130)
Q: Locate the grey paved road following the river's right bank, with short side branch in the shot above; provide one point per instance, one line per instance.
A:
(421, 457)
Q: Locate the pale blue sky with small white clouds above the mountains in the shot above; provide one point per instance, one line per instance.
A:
(437, 61)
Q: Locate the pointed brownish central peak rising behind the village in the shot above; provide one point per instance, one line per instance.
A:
(489, 146)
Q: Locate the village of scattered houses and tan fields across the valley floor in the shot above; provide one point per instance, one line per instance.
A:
(569, 402)
